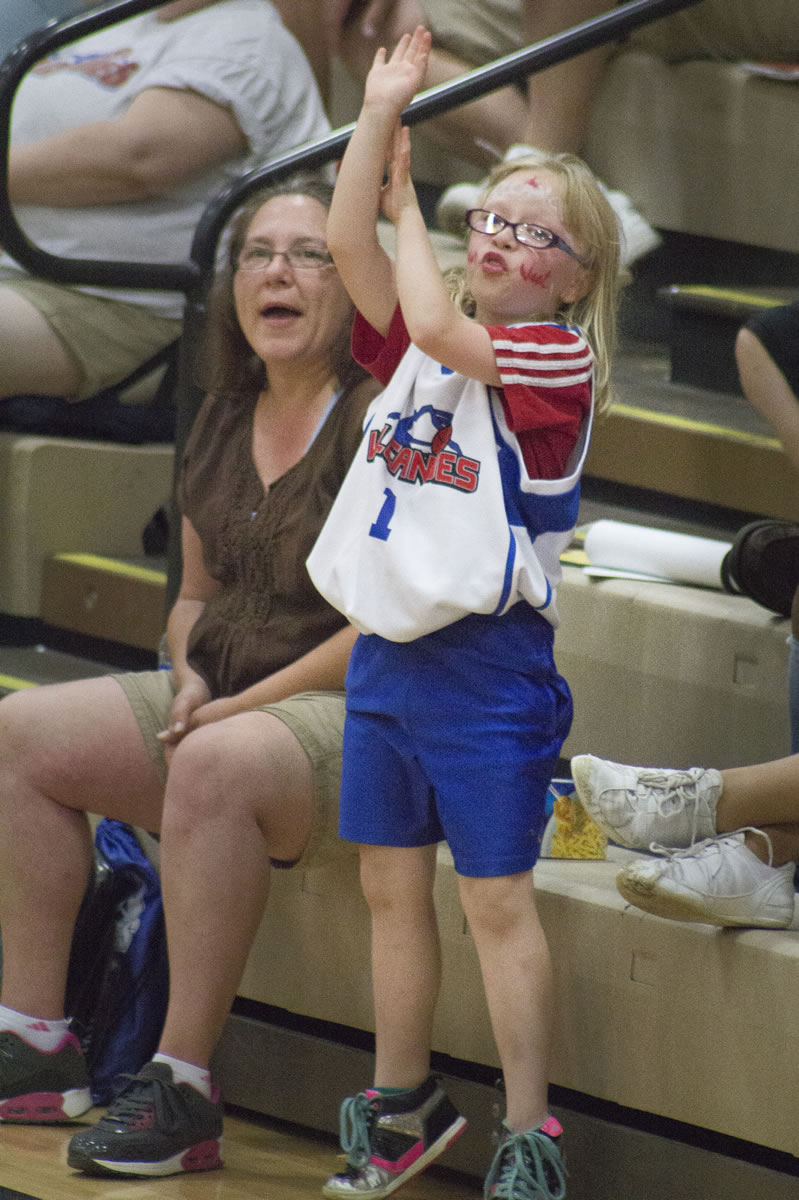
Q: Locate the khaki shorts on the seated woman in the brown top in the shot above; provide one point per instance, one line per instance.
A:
(315, 718)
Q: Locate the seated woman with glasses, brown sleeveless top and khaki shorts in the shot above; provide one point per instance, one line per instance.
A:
(233, 755)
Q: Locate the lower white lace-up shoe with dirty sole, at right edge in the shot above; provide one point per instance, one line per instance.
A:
(718, 883)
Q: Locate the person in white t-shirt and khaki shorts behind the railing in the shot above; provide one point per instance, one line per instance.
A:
(119, 142)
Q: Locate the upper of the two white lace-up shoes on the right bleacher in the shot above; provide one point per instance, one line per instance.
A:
(640, 806)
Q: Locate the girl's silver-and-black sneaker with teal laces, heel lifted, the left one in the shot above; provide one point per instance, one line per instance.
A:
(389, 1139)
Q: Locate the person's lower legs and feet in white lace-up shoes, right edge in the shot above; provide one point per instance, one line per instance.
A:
(728, 842)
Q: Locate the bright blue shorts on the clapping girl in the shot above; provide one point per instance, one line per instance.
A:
(455, 736)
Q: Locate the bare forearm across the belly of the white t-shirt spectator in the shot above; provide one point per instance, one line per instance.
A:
(167, 137)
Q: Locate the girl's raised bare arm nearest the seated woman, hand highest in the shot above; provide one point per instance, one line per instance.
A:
(365, 269)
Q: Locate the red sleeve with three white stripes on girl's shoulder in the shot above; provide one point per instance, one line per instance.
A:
(546, 373)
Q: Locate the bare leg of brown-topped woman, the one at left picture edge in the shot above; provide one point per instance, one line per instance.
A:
(65, 751)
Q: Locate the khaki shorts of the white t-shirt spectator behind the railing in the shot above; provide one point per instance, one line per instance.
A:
(107, 339)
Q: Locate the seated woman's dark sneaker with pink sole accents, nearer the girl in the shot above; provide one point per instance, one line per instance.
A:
(154, 1127)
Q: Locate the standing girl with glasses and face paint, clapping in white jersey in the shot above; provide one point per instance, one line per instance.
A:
(443, 550)
